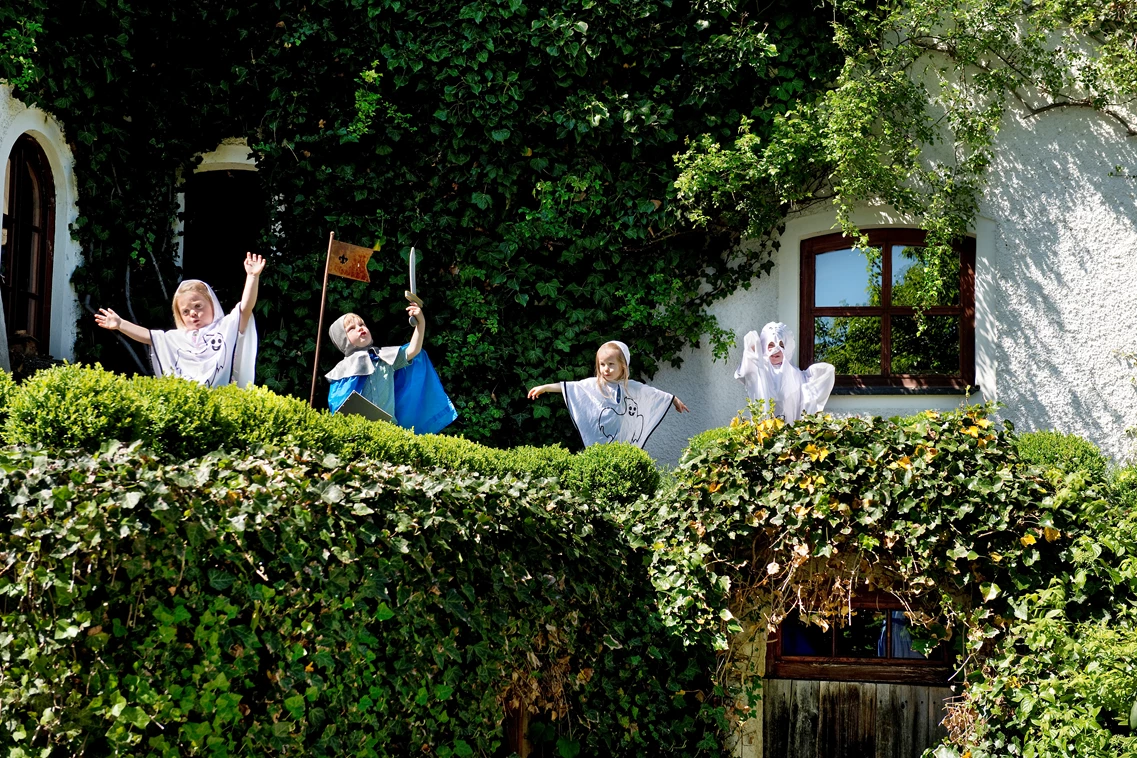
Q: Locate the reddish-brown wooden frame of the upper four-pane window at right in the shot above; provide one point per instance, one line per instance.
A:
(885, 239)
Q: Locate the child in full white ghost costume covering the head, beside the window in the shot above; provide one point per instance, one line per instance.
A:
(769, 373)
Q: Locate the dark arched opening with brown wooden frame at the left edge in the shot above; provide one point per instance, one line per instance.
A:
(27, 254)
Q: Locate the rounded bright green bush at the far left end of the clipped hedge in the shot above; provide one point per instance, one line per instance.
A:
(69, 407)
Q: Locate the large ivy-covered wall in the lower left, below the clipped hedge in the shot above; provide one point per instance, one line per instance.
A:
(283, 605)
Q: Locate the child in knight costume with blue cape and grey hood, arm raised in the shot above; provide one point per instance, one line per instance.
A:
(400, 380)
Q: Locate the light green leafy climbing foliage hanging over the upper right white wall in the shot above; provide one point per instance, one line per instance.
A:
(912, 118)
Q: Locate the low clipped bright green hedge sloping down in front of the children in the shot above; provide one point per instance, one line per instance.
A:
(81, 409)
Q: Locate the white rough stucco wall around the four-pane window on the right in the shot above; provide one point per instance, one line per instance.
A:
(1056, 294)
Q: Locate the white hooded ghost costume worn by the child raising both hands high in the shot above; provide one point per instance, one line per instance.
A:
(214, 355)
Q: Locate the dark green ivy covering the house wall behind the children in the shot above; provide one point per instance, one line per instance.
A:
(527, 151)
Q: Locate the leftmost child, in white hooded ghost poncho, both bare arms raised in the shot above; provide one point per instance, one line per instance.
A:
(210, 346)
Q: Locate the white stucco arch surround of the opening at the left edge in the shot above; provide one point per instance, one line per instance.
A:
(15, 120)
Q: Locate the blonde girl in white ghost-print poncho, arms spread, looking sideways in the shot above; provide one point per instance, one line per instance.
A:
(611, 407)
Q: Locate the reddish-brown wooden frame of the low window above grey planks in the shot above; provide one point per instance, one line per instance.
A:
(835, 669)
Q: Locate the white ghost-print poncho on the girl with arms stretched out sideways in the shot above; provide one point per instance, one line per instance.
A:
(605, 412)
